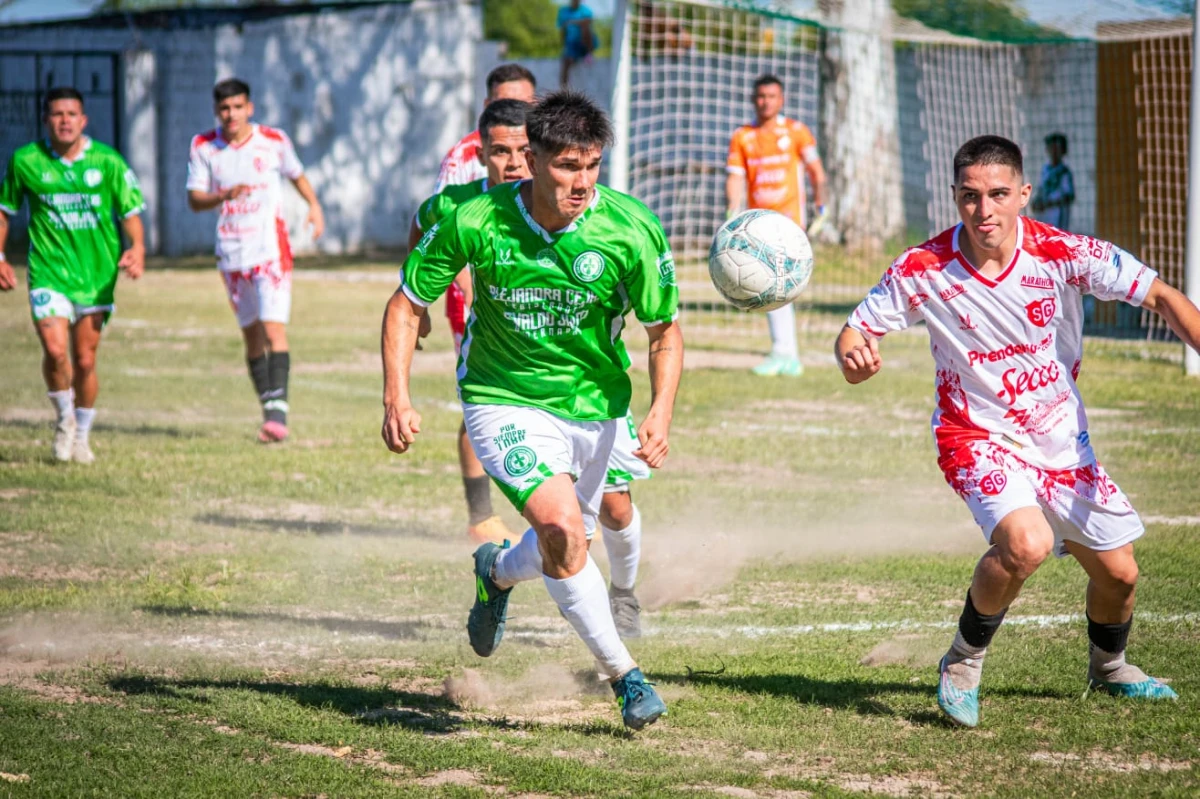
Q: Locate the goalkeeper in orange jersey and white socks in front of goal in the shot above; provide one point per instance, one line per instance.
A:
(770, 157)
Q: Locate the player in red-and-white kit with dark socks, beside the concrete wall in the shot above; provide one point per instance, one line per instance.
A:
(239, 169)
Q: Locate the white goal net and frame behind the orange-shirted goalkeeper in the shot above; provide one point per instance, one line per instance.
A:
(890, 101)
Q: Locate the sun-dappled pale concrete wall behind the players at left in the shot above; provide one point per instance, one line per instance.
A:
(373, 98)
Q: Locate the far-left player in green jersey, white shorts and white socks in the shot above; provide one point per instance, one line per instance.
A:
(74, 185)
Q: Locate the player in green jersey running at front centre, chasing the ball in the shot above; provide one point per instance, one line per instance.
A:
(555, 261)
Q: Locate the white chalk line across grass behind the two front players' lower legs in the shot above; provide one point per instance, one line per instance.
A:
(757, 632)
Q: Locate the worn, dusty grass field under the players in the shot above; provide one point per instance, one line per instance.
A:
(199, 616)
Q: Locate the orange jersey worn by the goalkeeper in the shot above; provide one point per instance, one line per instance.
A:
(772, 158)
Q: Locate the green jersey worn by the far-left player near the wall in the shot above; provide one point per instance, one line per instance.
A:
(74, 245)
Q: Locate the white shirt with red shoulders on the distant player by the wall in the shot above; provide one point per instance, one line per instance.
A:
(251, 231)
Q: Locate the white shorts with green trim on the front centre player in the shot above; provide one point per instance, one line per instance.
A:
(521, 448)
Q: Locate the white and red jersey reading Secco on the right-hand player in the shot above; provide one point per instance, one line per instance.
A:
(1007, 351)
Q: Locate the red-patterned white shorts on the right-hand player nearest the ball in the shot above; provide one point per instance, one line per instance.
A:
(1082, 504)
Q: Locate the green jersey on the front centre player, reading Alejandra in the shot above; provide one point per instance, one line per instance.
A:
(545, 327)
